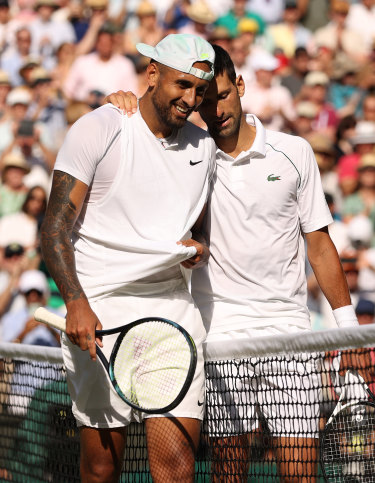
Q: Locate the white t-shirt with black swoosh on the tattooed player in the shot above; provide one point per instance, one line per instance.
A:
(145, 195)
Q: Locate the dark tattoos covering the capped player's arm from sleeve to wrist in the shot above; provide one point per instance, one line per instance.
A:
(56, 234)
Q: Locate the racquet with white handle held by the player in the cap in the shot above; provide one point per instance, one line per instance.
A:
(152, 363)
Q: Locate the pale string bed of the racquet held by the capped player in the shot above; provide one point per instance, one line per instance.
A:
(152, 364)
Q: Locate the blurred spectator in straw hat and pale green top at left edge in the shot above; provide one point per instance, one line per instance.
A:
(13, 190)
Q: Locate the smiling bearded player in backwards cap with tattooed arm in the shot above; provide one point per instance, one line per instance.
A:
(126, 201)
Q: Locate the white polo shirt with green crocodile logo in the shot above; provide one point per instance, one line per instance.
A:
(261, 204)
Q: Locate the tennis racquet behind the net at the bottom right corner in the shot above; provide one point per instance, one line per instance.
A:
(347, 449)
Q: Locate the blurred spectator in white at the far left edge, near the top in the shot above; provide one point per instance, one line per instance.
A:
(15, 55)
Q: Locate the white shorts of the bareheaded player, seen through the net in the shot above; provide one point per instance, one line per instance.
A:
(282, 393)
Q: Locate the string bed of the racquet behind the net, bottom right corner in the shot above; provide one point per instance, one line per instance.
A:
(349, 445)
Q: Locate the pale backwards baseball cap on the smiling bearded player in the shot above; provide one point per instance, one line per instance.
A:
(180, 52)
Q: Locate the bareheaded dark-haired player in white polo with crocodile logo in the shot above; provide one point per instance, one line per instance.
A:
(266, 200)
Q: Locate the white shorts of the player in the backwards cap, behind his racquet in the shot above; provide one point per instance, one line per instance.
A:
(95, 402)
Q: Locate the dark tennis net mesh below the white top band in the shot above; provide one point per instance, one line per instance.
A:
(265, 406)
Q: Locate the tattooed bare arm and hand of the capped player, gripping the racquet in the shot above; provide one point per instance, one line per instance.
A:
(65, 203)
